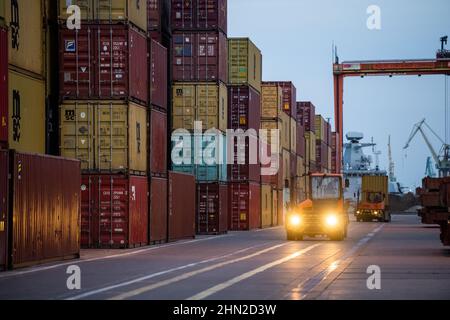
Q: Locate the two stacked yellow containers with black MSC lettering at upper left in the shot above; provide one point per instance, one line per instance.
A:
(23, 75)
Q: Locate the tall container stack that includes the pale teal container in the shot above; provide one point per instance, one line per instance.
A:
(199, 75)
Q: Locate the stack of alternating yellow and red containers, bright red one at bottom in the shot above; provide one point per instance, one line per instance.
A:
(104, 99)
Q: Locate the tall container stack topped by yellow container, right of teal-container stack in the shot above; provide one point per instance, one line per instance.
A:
(244, 113)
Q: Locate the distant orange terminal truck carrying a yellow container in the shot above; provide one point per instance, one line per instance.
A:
(373, 203)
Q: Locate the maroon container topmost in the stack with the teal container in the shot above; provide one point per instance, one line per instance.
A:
(199, 15)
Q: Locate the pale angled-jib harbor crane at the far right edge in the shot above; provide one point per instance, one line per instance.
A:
(442, 158)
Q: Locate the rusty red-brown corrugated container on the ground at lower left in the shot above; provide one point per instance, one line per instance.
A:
(43, 218)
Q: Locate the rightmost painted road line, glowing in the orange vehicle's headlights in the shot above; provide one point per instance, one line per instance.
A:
(222, 286)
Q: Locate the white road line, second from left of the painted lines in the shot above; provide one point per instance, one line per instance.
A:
(157, 274)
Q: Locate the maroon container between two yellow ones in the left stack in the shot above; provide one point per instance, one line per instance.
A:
(103, 62)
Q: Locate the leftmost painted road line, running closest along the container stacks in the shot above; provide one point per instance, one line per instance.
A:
(120, 255)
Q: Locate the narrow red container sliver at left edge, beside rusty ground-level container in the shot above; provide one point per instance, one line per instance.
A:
(4, 171)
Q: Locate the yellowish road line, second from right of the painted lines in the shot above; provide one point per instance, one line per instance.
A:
(188, 275)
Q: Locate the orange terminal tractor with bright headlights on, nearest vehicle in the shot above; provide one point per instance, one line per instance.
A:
(324, 213)
